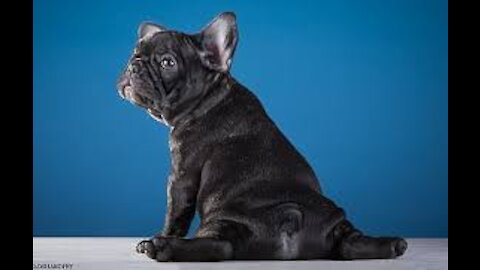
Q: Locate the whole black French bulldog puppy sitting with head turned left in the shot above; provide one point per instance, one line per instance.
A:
(256, 195)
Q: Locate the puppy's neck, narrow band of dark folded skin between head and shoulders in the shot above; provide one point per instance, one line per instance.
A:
(217, 92)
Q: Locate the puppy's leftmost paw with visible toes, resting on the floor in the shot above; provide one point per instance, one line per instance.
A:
(157, 248)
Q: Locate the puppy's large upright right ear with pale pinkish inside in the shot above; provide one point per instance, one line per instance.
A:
(218, 41)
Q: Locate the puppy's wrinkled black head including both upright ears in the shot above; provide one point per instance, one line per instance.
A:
(169, 72)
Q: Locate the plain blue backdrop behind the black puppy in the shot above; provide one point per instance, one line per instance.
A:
(360, 87)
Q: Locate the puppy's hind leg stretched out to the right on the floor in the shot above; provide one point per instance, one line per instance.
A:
(351, 244)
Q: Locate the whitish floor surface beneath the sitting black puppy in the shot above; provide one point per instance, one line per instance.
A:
(119, 253)
